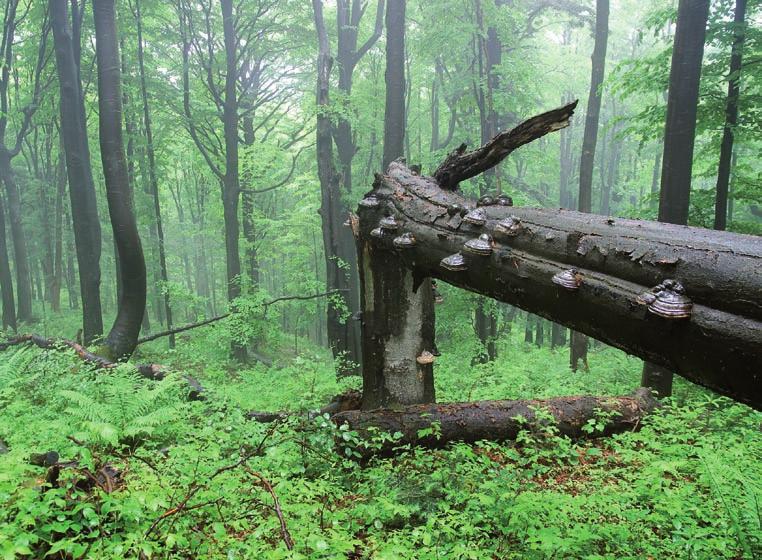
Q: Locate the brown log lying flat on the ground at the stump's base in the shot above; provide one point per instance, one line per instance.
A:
(496, 420)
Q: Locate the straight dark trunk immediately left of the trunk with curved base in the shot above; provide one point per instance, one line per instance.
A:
(84, 209)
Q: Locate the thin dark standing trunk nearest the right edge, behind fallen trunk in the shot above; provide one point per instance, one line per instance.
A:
(731, 117)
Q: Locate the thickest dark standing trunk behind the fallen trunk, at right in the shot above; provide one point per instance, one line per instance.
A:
(679, 136)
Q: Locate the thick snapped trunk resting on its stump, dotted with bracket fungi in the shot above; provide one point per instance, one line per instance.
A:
(718, 346)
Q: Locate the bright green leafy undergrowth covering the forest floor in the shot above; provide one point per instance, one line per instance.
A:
(154, 476)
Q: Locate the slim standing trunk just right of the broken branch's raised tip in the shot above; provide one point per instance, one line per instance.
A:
(579, 341)
